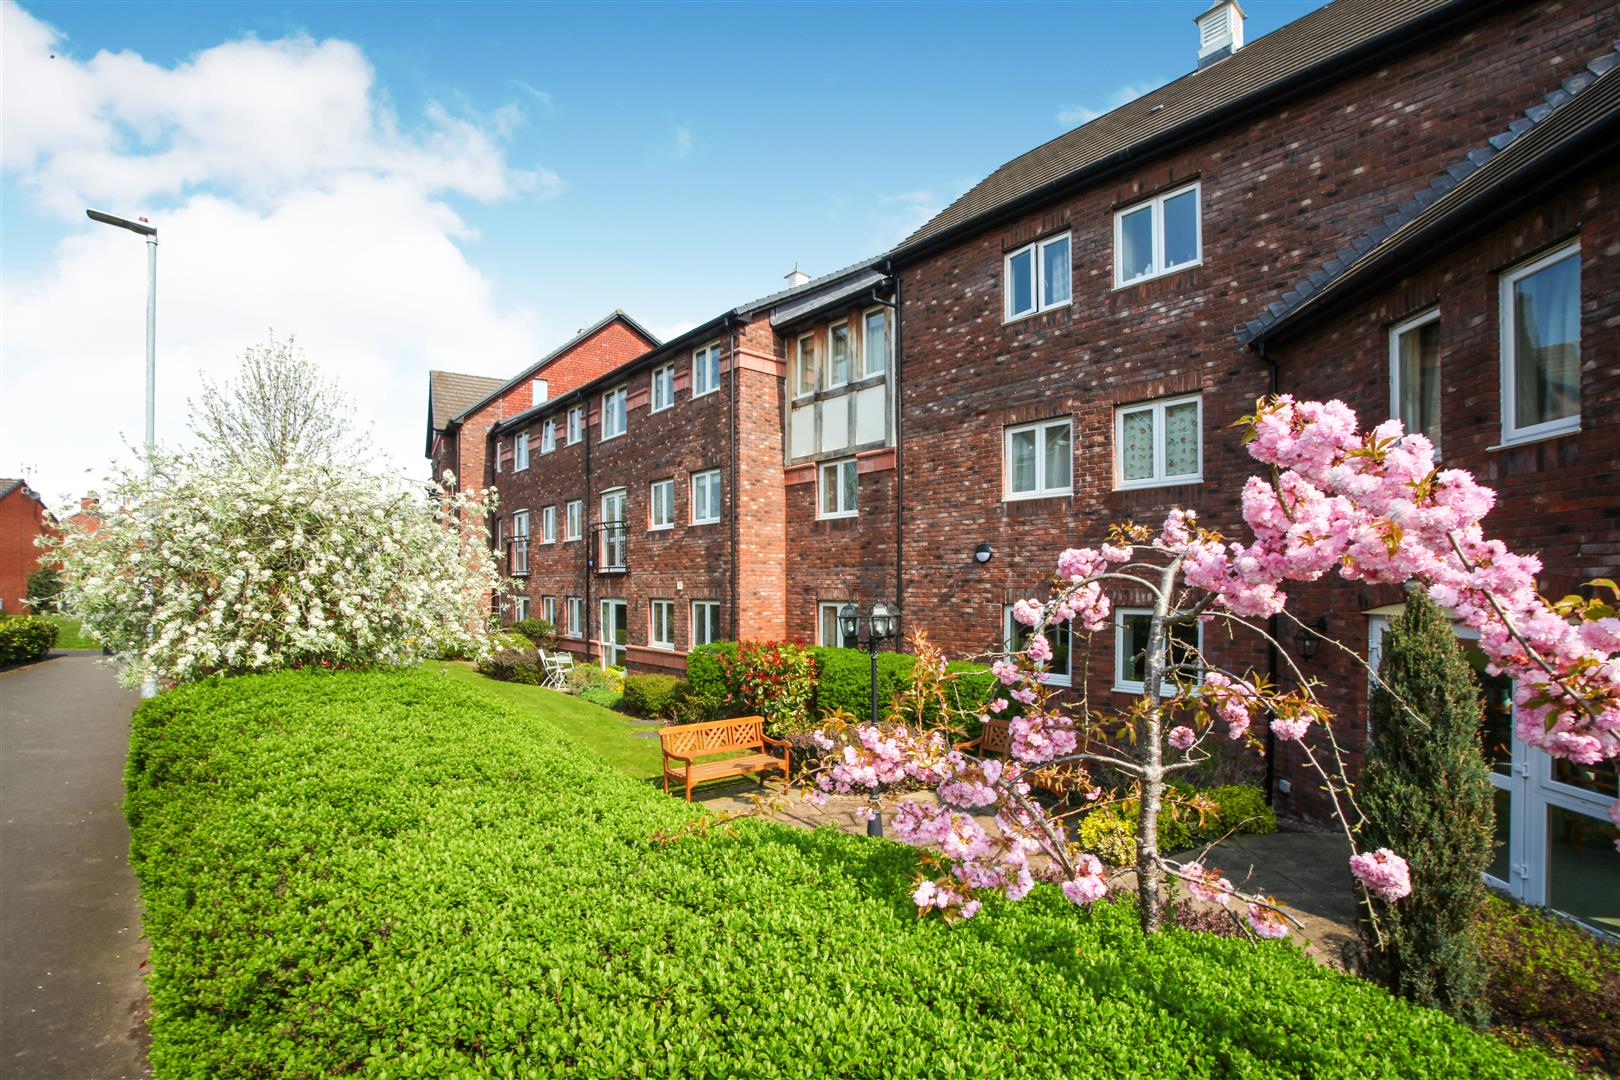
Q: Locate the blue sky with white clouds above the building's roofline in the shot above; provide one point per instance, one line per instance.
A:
(665, 159)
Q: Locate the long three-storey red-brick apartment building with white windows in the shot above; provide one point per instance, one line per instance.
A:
(1410, 205)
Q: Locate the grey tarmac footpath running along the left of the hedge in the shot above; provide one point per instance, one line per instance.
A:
(74, 998)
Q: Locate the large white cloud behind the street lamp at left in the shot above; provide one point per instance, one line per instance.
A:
(286, 197)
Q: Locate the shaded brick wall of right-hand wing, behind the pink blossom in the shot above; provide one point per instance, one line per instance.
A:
(1556, 498)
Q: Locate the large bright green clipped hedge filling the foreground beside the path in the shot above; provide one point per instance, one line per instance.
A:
(396, 874)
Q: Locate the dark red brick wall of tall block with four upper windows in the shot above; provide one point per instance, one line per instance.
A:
(1281, 195)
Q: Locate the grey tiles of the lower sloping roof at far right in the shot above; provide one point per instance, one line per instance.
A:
(1579, 109)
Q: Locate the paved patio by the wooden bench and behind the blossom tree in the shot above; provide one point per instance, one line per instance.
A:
(1307, 872)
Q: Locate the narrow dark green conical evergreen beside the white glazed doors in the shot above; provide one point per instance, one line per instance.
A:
(1426, 794)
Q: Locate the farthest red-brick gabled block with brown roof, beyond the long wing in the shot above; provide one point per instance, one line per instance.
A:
(464, 409)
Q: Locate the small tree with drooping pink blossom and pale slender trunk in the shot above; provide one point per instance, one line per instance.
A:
(1370, 506)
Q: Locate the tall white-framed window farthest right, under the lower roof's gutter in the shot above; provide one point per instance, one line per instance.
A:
(1541, 347)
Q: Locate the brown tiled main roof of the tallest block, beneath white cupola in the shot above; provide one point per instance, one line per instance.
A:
(1308, 53)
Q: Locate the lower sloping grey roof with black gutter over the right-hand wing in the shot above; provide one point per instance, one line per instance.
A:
(1577, 122)
